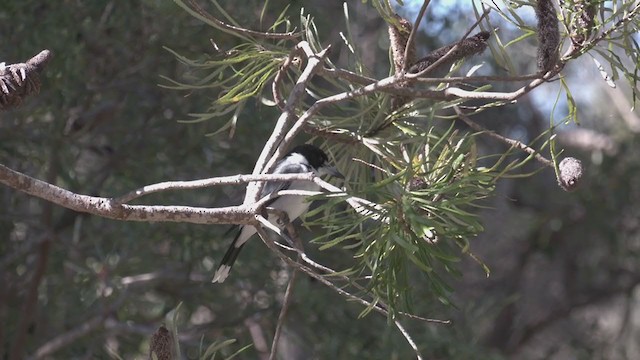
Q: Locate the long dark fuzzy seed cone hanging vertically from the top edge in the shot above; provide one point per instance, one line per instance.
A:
(548, 35)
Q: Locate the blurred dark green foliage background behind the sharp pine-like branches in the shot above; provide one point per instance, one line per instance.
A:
(564, 266)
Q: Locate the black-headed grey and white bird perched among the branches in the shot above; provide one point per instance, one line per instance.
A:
(301, 159)
